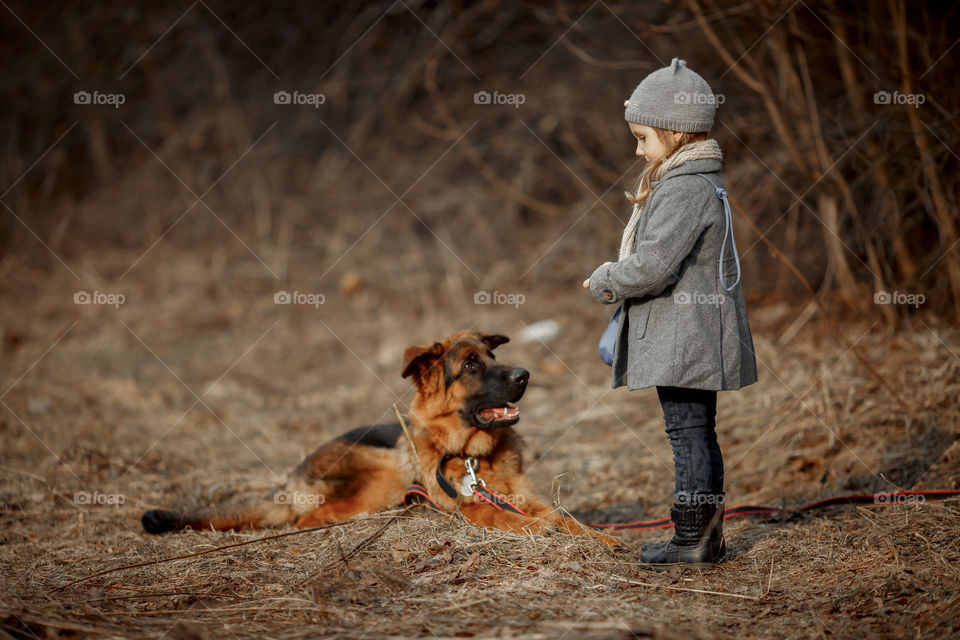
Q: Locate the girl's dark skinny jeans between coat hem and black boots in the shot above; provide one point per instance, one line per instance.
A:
(690, 416)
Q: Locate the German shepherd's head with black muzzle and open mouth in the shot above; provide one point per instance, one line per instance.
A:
(459, 377)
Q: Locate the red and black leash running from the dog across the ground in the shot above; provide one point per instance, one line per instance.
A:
(418, 494)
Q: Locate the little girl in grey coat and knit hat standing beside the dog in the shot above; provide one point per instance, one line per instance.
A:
(684, 325)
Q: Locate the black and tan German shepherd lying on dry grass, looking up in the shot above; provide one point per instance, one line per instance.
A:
(460, 445)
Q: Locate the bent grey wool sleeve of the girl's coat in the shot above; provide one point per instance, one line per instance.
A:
(676, 221)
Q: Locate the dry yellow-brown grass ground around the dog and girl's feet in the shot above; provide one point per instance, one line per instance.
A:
(199, 384)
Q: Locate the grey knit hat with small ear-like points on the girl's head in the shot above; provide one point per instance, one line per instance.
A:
(673, 98)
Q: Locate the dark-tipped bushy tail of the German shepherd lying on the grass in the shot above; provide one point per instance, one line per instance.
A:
(246, 512)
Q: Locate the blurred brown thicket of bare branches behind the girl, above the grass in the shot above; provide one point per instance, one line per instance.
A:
(838, 121)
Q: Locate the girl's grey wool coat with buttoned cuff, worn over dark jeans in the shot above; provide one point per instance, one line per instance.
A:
(680, 327)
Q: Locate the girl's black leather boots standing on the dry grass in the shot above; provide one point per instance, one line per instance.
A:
(698, 535)
